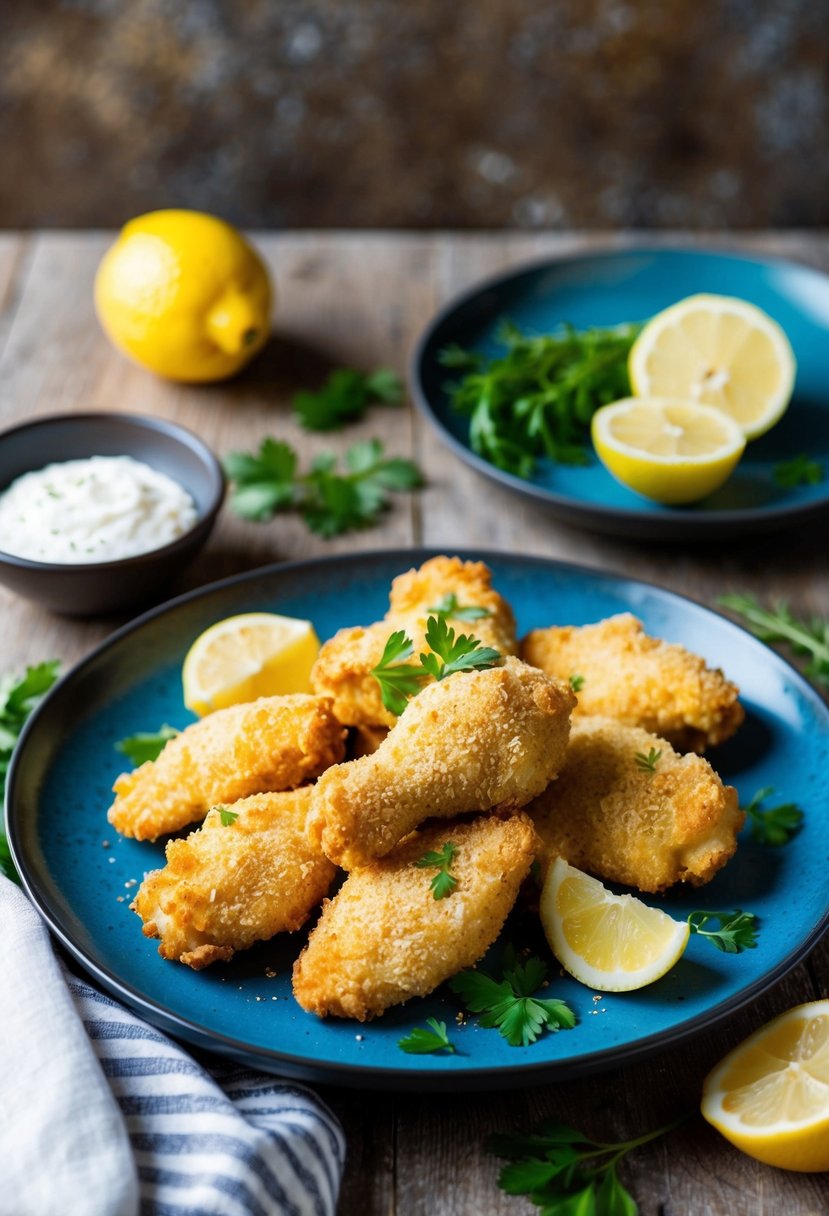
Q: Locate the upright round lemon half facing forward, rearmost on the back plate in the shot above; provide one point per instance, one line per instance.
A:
(718, 351)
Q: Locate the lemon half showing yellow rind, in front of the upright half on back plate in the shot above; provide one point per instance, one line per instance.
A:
(668, 449)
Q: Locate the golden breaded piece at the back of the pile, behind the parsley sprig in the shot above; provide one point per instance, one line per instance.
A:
(343, 667)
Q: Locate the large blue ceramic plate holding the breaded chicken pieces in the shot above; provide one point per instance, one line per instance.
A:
(61, 781)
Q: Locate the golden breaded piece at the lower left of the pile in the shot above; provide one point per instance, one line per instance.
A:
(228, 886)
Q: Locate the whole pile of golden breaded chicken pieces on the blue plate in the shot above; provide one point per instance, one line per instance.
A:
(488, 769)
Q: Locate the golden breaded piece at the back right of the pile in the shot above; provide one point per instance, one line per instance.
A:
(640, 680)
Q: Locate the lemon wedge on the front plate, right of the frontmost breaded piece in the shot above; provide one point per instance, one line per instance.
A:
(612, 943)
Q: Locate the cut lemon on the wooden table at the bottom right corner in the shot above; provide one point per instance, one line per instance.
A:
(770, 1096)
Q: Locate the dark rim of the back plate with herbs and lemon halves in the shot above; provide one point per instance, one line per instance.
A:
(669, 522)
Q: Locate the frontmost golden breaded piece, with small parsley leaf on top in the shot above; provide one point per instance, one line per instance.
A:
(385, 938)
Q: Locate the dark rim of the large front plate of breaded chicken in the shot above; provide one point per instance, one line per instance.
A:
(368, 1076)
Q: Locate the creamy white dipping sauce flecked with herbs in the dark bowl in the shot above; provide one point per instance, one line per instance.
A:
(97, 510)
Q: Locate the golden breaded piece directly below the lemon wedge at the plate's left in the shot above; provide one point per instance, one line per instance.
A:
(263, 746)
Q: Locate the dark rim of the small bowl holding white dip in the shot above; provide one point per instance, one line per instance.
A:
(174, 431)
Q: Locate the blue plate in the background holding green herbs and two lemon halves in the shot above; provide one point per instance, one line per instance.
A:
(608, 289)
